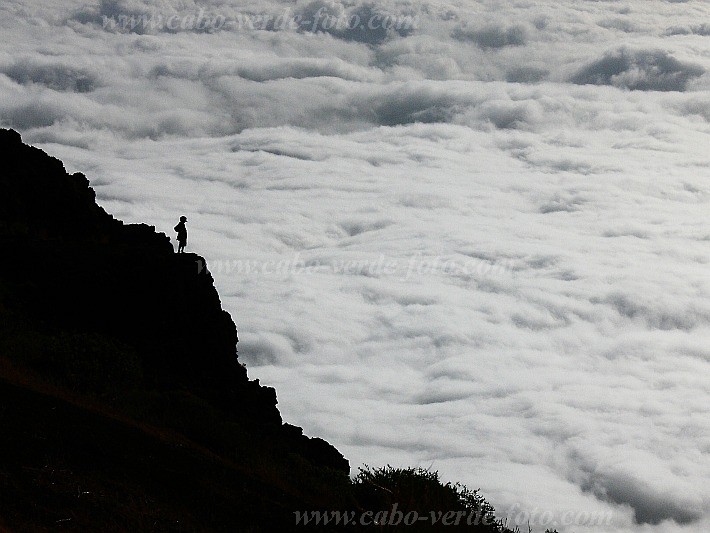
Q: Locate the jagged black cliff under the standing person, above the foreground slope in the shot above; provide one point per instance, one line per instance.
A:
(147, 321)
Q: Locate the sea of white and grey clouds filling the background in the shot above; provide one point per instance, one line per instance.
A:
(470, 236)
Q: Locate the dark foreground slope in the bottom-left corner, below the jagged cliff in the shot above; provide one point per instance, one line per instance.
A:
(72, 466)
